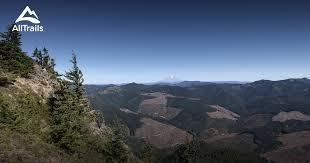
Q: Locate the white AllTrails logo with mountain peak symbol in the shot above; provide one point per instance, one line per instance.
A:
(33, 19)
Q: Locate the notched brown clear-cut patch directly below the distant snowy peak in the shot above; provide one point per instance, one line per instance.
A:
(157, 106)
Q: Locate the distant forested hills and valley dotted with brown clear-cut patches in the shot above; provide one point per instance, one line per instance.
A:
(260, 117)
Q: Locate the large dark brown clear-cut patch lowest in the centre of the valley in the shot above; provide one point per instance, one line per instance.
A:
(161, 135)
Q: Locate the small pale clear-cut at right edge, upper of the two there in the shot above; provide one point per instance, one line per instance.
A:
(292, 115)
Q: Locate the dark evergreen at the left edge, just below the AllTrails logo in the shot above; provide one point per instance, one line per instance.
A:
(12, 59)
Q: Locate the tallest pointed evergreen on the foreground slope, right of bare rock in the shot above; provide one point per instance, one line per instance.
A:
(68, 114)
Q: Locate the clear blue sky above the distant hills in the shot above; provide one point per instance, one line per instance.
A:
(121, 41)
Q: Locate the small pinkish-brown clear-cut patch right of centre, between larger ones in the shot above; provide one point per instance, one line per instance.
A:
(222, 113)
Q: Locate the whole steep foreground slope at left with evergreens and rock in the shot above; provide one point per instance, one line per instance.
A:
(47, 118)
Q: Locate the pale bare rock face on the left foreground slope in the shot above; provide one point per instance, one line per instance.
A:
(41, 83)
